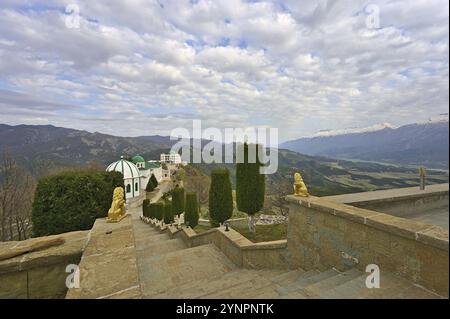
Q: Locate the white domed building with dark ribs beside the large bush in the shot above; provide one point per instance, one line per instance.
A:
(131, 177)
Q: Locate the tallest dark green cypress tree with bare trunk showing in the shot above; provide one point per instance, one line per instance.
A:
(250, 185)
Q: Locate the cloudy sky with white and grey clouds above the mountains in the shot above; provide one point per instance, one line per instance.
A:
(141, 67)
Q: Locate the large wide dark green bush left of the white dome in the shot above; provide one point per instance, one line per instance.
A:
(71, 201)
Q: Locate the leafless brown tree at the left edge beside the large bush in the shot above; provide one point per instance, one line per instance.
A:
(16, 195)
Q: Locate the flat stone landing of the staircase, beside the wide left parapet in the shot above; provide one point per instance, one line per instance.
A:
(159, 273)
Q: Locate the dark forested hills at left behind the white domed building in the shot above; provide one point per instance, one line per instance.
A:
(42, 147)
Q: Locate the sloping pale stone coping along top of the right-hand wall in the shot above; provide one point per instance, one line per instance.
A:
(421, 232)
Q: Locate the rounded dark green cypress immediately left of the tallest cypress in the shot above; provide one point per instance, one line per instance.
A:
(220, 195)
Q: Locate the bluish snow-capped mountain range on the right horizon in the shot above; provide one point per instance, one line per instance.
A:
(415, 144)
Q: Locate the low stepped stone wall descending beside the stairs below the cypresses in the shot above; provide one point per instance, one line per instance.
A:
(236, 247)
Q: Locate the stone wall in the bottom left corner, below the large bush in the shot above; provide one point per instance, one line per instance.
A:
(40, 274)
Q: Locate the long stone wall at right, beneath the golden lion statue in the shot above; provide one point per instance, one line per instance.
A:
(324, 234)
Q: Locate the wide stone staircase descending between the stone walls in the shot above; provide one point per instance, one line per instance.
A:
(169, 269)
